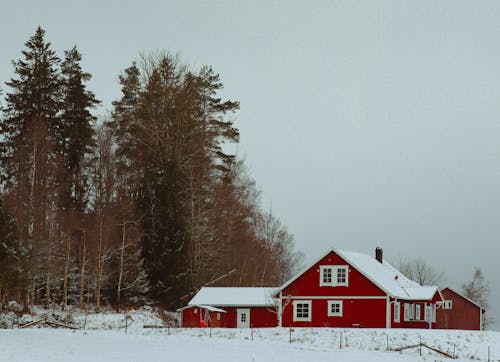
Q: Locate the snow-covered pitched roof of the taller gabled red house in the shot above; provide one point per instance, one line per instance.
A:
(384, 275)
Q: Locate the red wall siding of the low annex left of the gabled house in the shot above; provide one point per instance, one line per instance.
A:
(260, 317)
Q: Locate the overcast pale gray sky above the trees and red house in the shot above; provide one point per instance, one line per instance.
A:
(365, 123)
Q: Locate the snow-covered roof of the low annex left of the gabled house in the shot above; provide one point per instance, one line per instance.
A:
(238, 296)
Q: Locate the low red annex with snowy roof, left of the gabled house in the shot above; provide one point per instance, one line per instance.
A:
(231, 308)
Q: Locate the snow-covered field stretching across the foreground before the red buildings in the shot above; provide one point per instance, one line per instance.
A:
(105, 340)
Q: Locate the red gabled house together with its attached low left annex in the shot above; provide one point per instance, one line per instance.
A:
(340, 289)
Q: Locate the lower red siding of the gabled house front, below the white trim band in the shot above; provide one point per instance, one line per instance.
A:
(362, 313)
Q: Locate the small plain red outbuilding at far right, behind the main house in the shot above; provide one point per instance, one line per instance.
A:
(459, 312)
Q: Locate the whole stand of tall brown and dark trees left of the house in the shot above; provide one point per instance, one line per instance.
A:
(144, 205)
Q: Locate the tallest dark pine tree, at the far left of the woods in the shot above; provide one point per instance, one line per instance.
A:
(28, 143)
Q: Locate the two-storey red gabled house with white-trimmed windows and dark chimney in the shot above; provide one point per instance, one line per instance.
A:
(348, 289)
